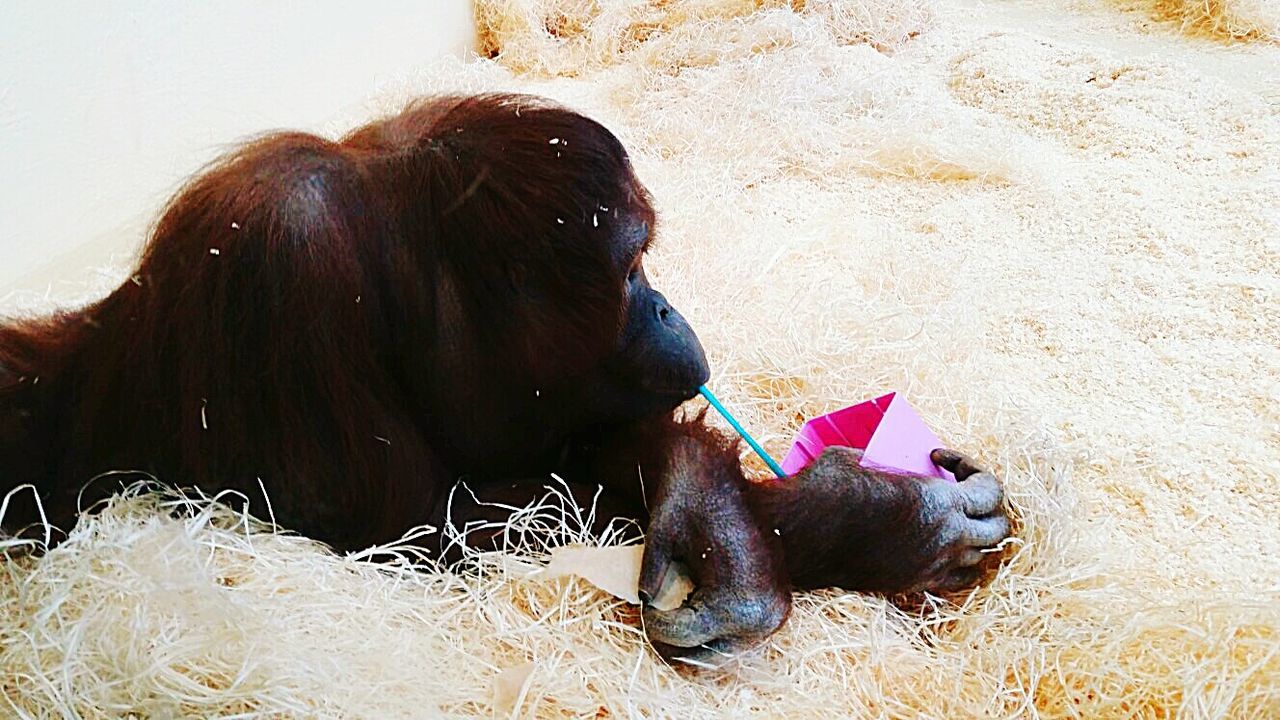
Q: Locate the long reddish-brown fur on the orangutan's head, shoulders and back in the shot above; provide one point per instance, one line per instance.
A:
(335, 320)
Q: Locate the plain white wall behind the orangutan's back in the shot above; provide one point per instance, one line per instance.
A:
(107, 107)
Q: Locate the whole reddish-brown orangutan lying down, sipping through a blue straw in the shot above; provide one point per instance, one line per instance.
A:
(456, 291)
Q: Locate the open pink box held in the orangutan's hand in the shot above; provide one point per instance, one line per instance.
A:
(886, 430)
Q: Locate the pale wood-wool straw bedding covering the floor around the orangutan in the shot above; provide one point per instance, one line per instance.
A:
(1062, 249)
